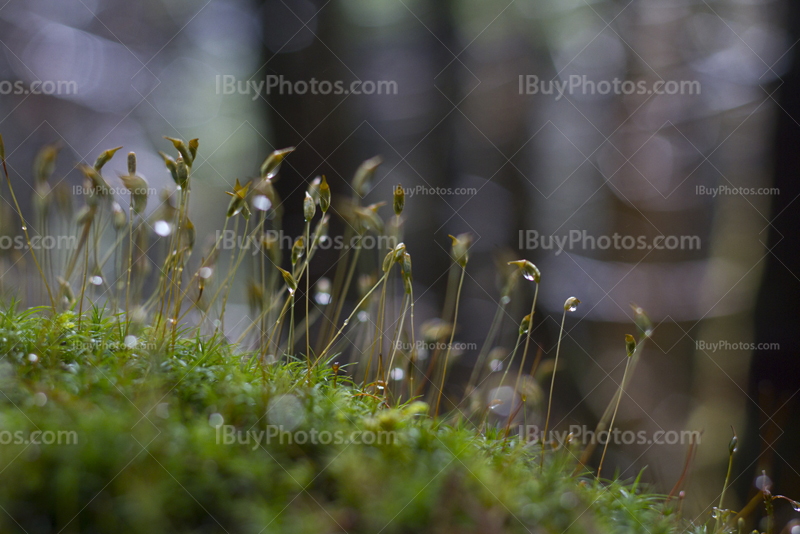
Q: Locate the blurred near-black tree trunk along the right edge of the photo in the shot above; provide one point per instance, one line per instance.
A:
(772, 431)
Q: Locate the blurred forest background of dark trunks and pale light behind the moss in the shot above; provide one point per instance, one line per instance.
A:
(604, 164)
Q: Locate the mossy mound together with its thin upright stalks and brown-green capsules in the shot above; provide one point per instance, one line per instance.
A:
(125, 408)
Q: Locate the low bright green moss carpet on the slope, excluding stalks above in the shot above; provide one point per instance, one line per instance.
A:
(143, 433)
